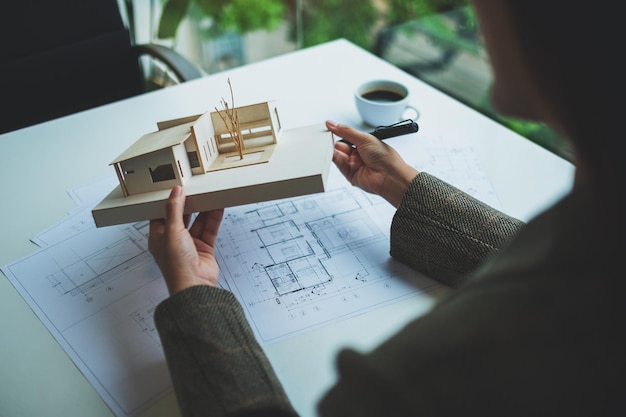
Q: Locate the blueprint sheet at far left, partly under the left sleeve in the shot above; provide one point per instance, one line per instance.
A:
(95, 290)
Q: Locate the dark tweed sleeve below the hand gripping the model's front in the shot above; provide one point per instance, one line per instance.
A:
(217, 366)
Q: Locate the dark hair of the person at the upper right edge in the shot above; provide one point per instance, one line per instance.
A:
(574, 52)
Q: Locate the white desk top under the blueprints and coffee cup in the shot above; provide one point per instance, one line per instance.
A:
(39, 164)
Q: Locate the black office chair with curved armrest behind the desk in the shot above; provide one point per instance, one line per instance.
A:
(63, 56)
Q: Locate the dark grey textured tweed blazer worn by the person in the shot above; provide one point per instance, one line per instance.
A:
(530, 330)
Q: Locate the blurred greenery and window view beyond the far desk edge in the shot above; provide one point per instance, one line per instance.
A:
(435, 40)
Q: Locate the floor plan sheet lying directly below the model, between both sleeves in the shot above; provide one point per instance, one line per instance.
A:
(310, 260)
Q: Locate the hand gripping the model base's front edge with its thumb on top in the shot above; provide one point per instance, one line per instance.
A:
(185, 256)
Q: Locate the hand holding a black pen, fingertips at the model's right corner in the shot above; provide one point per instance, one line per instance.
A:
(371, 164)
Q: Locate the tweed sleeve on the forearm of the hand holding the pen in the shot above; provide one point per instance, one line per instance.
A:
(445, 233)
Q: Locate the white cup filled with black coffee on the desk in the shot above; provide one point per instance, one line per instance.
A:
(383, 102)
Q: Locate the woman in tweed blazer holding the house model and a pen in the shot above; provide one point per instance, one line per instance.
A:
(535, 326)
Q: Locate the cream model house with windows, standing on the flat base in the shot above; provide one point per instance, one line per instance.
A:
(196, 145)
